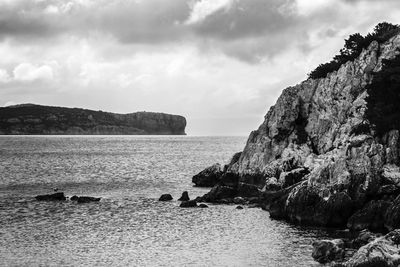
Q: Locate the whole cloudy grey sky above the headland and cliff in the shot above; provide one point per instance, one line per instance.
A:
(219, 63)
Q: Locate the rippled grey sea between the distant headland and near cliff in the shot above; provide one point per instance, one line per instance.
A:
(129, 226)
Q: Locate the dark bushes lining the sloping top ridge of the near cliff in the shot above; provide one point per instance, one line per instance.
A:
(353, 46)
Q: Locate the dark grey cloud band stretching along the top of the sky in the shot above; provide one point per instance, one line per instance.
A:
(249, 30)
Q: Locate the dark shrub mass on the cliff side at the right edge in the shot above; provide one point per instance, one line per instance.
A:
(383, 109)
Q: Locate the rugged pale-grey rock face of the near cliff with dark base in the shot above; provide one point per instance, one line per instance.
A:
(317, 157)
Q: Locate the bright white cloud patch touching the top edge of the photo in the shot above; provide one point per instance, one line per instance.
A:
(203, 8)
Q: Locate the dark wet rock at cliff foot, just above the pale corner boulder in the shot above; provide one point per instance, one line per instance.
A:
(371, 216)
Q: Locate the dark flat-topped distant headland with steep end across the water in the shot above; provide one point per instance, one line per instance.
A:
(37, 119)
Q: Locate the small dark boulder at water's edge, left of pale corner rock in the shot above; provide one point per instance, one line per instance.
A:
(328, 250)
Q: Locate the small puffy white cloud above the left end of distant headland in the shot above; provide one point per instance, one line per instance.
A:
(29, 72)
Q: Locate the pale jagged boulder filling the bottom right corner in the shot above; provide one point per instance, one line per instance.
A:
(380, 252)
